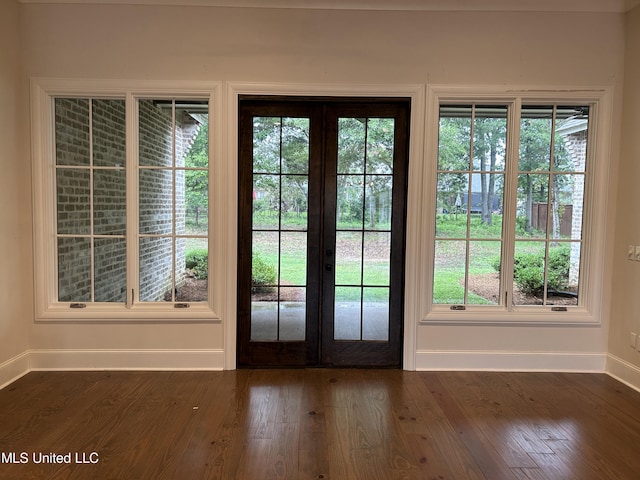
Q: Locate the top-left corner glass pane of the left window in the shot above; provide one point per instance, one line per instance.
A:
(72, 131)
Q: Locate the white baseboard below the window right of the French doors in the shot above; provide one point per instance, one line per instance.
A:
(511, 361)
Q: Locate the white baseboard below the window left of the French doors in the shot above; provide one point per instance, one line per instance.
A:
(126, 359)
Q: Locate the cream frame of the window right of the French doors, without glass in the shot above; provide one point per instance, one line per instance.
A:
(592, 269)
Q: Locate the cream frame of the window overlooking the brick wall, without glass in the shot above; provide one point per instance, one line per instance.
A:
(47, 306)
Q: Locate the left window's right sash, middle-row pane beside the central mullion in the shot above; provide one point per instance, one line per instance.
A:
(156, 201)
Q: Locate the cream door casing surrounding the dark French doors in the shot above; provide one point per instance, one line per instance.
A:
(413, 306)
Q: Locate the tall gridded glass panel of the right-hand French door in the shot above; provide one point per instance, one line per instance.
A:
(363, 224)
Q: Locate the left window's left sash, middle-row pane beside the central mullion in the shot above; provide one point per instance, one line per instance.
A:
(109, 202)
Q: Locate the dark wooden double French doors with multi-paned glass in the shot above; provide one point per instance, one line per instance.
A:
(322, 189)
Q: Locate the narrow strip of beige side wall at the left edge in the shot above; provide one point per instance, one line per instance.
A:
(15, 217)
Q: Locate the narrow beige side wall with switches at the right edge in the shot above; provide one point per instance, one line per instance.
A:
(625, 311)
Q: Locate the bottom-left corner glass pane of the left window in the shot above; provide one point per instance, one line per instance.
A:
(74, 269)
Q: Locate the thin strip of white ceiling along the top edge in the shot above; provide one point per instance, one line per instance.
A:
(417, 5)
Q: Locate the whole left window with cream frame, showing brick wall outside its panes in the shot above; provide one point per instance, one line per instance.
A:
(126, 203)
